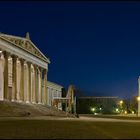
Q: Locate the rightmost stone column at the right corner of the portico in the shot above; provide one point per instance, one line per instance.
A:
(45, 86)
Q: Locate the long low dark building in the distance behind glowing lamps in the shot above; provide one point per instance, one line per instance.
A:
(96, 105)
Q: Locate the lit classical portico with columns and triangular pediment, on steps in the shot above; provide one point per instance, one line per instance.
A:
(23, 70)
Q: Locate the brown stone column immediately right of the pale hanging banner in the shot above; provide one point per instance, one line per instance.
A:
(14, 78)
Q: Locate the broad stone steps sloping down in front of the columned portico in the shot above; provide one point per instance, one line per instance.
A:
(16, 109)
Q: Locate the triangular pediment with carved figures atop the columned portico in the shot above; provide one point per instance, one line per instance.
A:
(25, 44)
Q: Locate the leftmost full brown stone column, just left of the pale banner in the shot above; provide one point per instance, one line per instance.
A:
(6, 89)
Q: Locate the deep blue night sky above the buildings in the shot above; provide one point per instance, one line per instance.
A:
(93, 45)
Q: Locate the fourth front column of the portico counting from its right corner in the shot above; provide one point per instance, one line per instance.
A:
(29, 79)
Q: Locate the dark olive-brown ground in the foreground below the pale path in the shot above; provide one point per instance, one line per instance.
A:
(68, 129)
